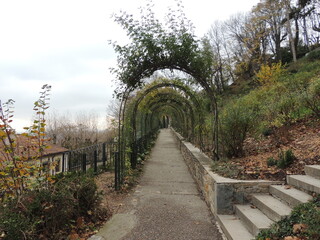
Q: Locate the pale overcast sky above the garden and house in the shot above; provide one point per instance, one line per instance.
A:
(64, 43)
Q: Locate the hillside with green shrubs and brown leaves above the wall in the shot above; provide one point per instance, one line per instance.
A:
(282, 116)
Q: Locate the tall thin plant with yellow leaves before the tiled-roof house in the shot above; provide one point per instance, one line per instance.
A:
(20, 164)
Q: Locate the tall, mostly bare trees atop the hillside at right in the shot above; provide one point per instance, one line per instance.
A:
(273, 31)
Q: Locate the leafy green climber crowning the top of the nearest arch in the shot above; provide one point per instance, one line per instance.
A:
(156, 46)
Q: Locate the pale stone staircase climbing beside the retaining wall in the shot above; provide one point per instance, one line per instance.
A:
(265, 209)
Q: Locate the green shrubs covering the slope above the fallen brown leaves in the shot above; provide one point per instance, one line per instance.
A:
(290, 96)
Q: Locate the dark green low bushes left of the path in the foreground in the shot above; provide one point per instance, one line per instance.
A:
(50, 211)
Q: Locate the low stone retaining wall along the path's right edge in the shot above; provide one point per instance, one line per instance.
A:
(220, 193)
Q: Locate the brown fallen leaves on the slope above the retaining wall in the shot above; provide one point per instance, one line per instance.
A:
(304, 140)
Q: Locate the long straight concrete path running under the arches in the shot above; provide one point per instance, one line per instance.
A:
(166, 205)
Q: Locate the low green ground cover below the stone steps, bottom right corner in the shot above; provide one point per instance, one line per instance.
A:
(307, 214)
